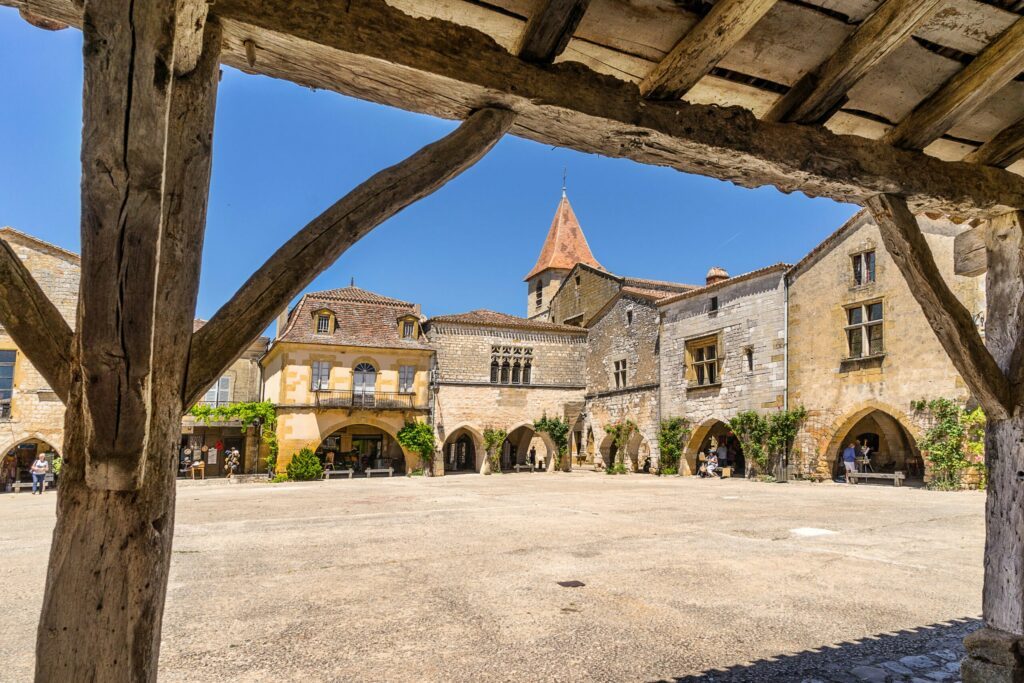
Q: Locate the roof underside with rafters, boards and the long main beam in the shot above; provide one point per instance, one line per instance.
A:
(691, 84)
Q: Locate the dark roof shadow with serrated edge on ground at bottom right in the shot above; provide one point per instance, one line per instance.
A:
(837, 663)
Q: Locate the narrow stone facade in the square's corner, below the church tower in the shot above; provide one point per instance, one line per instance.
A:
(623, 379)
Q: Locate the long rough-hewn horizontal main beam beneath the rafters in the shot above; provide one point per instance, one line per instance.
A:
(368, 50)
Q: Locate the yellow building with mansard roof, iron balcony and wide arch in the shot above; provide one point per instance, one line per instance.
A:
(347, 370)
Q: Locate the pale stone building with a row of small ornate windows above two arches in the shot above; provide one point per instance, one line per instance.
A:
(503, 372)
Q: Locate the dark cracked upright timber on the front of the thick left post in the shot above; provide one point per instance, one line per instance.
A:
(127, 102)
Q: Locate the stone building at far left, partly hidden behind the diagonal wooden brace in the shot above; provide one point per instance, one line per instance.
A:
(31, 414)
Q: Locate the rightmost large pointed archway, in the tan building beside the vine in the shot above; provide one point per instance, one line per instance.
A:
(891, 447)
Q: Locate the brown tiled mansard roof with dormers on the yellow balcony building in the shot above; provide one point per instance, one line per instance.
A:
(362, 319)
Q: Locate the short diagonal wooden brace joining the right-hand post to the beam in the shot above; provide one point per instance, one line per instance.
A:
(953, 323)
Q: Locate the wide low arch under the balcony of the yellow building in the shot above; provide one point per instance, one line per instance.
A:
(364, 444)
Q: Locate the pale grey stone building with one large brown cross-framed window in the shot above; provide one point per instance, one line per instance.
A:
(723, 352)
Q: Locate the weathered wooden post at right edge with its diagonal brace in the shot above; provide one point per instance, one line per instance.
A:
(995, 372)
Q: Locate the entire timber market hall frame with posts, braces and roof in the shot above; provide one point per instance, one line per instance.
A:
(902, 106)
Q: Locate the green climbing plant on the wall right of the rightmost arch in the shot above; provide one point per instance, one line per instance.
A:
(955, 443)
